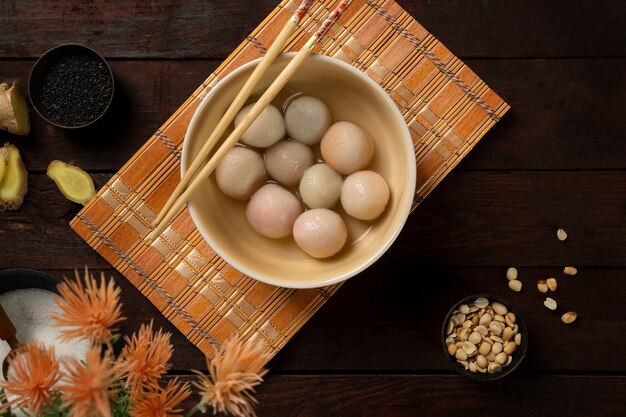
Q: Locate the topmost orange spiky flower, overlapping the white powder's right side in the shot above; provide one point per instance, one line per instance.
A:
(89, 311)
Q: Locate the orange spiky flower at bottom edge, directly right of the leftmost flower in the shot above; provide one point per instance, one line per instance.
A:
(90, 386)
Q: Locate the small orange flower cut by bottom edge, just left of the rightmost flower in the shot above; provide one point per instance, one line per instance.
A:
(160, 402)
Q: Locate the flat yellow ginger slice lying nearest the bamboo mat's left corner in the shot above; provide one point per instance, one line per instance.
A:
(74, 183)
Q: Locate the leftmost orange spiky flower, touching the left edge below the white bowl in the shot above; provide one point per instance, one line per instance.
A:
(33, 372)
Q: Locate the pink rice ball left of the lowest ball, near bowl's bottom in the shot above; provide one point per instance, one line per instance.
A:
(272, 211)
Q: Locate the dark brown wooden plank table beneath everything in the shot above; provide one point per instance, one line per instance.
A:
(557, 159)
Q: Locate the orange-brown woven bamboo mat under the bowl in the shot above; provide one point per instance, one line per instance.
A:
(446, 105)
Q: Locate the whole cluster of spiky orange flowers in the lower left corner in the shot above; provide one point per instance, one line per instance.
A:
(38, 380)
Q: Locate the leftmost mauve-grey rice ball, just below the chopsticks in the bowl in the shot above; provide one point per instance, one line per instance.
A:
(240, 173)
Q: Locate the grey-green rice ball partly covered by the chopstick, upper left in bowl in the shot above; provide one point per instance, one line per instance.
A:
(266, 130)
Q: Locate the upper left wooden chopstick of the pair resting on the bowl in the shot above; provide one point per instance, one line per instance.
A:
(274, 50)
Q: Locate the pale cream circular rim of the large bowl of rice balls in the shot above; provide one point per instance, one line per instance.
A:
(405, 204)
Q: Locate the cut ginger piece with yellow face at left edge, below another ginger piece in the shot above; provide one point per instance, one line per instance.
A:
(14, 183)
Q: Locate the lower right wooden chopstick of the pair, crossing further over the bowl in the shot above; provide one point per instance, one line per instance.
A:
(254, 112)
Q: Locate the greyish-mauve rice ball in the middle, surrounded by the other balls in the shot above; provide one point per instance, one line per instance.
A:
(287, 160)
